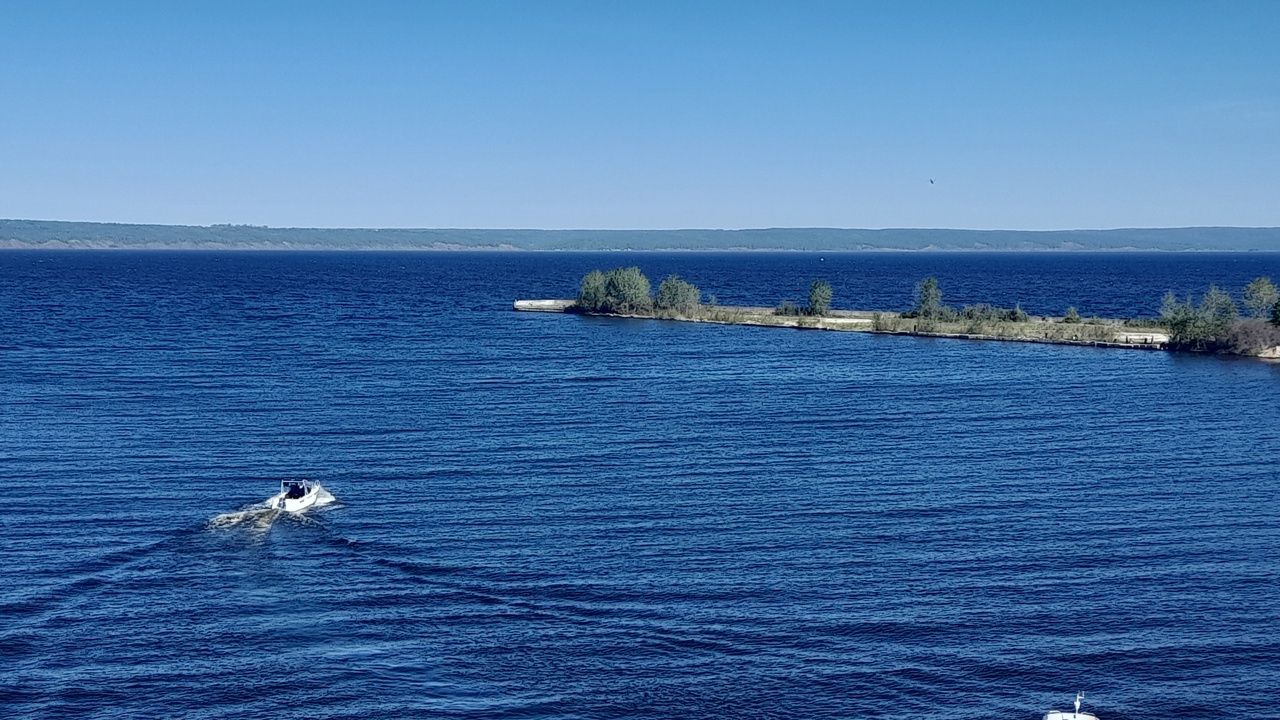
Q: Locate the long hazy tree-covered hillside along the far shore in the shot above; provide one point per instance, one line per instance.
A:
(60, 235)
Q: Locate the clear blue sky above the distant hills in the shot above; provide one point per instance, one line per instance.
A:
(647, 115)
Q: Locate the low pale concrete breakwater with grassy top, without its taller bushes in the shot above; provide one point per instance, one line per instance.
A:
(1105, 334)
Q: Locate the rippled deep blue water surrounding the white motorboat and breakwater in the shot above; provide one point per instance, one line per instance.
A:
(565, 517)
